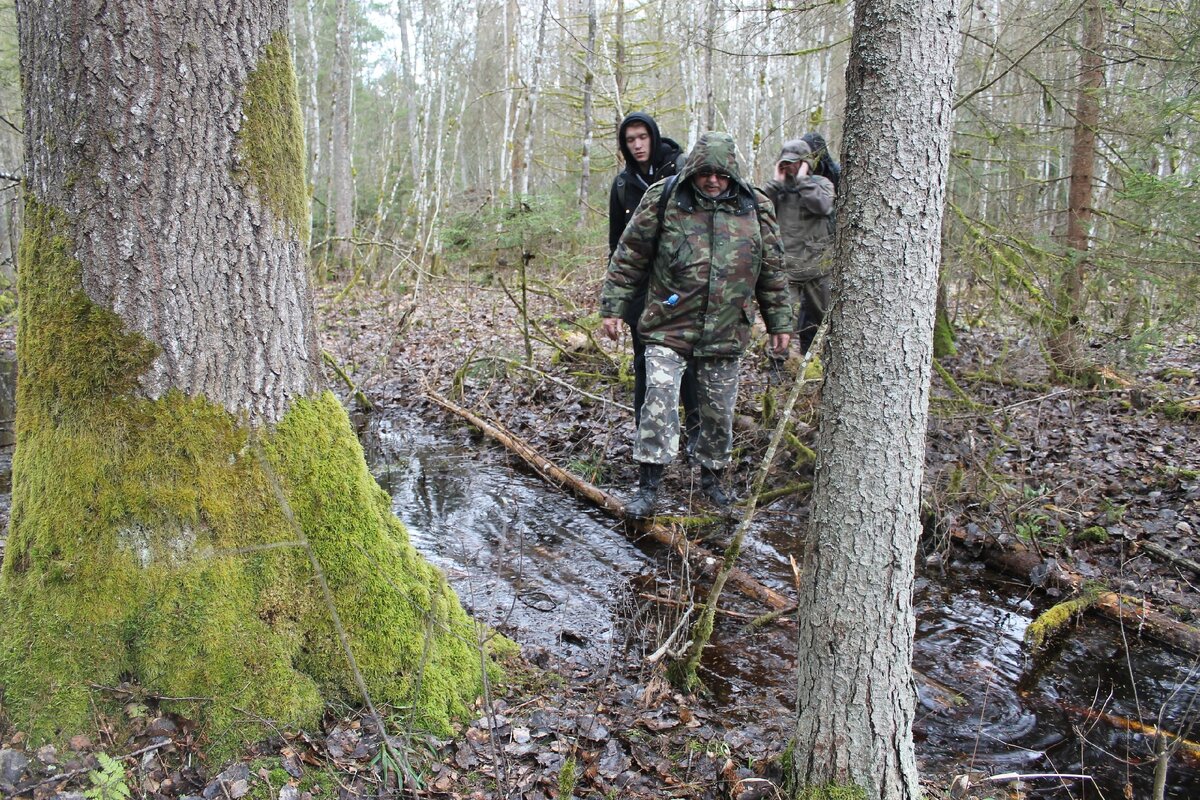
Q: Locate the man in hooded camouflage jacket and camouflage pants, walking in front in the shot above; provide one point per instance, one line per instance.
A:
(718, 251)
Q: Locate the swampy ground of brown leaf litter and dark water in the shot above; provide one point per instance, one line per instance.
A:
(1091, 488)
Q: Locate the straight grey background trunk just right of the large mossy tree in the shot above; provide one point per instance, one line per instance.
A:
(341, 155)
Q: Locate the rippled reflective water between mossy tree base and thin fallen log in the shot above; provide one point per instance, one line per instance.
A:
(529, 561)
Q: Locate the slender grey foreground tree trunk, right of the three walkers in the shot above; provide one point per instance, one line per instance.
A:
(855, 687)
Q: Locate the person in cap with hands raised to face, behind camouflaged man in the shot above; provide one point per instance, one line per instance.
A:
(805, 209)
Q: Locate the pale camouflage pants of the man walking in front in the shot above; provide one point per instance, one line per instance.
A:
(658, 434)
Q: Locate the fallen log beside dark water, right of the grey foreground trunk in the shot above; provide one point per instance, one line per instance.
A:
(1021, 561)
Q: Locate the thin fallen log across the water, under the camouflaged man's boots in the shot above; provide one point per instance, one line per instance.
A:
(637, 531)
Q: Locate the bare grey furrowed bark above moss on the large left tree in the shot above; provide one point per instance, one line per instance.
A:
(171, 225)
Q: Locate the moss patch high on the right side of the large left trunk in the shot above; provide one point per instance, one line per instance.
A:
(272, 139)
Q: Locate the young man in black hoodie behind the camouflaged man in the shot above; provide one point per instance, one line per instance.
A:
(650, 158)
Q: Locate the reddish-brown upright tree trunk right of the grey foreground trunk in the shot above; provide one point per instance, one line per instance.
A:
(1066, 353)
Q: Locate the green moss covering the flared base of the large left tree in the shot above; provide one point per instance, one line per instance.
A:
(148, 543)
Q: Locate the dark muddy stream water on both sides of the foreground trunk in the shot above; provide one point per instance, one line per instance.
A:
(550, 570)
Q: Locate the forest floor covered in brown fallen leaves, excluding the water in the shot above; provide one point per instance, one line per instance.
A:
(1078, 480)
